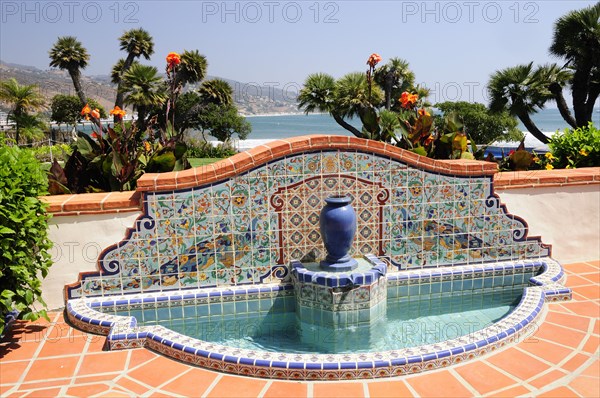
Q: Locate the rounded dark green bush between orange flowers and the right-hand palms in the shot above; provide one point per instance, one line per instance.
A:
(481, 125)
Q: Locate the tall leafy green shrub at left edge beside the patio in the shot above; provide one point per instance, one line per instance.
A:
(24, 241)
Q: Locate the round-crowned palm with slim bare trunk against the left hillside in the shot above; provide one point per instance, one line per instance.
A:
(69, 54)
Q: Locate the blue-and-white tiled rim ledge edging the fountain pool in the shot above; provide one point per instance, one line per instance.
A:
(123, 331)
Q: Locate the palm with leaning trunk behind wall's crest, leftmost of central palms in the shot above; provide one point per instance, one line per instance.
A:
(318, 95)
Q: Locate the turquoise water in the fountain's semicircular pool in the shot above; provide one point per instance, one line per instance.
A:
(272, 325)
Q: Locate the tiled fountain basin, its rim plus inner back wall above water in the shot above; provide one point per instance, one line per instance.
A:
(99, 315)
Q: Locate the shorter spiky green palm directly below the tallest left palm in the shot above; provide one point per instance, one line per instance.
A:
(143, 89)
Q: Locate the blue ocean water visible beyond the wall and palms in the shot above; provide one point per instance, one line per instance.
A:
(268, 128)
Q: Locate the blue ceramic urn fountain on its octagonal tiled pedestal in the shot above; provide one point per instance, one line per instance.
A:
(339, 293)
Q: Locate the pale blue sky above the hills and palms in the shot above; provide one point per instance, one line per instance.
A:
(452, 46)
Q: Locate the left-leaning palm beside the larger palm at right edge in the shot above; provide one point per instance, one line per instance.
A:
(520, 91)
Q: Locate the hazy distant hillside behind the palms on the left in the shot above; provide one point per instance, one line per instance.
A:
(250, 98)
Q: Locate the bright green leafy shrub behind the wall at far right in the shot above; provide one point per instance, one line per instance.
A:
(576, 148)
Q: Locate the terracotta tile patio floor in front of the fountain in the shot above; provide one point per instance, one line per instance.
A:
(561, 359)
